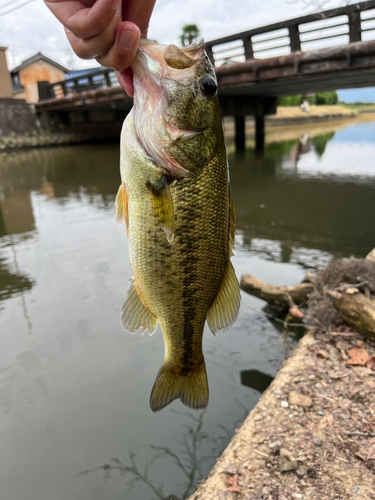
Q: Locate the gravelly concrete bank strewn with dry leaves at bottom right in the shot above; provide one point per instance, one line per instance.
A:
(312, 433)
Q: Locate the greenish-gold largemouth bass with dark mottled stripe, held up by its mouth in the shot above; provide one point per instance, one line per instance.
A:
(176, 202)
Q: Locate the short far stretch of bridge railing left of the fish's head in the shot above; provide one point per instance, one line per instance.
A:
(100, 79)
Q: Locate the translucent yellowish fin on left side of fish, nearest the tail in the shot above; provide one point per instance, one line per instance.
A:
(134, 313)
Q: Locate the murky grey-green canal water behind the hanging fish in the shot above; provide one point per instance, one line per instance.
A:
(74, 386)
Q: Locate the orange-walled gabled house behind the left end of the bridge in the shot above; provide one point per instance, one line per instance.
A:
(26, 76)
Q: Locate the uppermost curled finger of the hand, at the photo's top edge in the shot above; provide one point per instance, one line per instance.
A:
(82, 21)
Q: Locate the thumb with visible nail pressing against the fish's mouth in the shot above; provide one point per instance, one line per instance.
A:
(123, 51)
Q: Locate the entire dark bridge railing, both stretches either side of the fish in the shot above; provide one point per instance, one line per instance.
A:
(352, 23)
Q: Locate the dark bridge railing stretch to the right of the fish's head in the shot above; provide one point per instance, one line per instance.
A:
(352, 23)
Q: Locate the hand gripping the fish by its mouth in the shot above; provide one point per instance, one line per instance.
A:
(105, 30)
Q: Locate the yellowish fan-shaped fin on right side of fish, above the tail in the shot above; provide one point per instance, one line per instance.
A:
(224, 310)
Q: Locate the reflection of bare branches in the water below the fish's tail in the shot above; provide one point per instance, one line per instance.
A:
(186, 468)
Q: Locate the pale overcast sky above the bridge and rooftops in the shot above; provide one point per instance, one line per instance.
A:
(33, 28)
